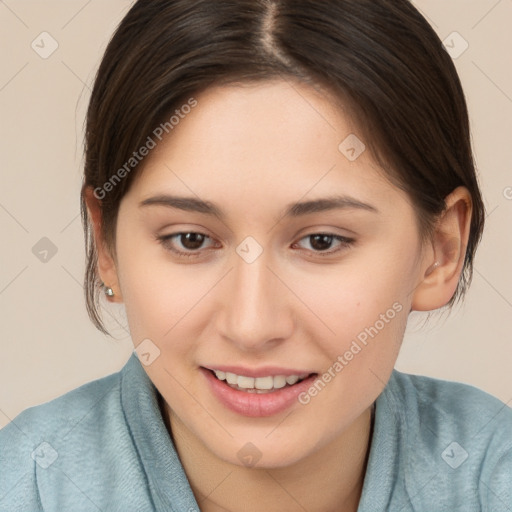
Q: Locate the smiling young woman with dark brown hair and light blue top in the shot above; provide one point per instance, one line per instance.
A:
(270, 188)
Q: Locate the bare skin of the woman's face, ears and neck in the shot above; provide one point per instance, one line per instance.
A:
(252, 150)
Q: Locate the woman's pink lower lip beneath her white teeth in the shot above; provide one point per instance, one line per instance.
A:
(256, 405)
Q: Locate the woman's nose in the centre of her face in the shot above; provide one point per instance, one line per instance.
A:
(256, 307)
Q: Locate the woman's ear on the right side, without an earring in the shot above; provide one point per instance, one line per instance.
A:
(444, 261)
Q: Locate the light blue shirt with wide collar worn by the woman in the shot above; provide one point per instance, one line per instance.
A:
(437, 446)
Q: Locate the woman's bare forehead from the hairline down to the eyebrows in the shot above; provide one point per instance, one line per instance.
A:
(252, 142)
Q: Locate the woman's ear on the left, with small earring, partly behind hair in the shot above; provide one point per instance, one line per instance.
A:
(106, 262)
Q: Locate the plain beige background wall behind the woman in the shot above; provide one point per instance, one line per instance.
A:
(48, 345)
